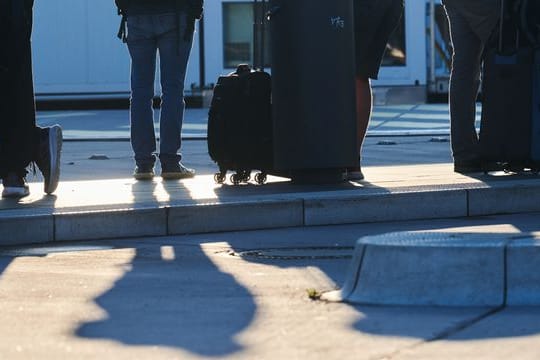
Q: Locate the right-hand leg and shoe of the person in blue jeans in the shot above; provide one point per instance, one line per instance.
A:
(174, 55)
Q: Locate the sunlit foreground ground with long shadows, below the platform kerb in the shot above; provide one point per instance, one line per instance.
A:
(235, 296)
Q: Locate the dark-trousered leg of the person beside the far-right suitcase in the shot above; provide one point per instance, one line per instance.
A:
(464, 83)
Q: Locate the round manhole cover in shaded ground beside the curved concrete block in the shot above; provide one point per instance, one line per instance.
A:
(337, 252)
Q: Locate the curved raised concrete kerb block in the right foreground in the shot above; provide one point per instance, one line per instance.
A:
(443, 269)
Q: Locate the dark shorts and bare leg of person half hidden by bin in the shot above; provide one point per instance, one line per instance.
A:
(375, 20)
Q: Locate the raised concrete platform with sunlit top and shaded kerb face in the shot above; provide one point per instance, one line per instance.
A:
(117, 208)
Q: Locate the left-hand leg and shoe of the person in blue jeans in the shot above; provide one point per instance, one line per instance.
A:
(142, 45)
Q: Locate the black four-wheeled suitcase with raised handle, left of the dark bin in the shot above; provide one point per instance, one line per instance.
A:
(240, 126)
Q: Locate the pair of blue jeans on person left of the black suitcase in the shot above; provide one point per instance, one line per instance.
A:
(149, 35)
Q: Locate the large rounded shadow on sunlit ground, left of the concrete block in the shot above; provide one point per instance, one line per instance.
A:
(163, 300)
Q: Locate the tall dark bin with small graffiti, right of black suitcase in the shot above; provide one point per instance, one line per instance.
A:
(313, 89)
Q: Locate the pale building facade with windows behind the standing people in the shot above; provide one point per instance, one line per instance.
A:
(77, 53)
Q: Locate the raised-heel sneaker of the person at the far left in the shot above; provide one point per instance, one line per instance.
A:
(48, 157)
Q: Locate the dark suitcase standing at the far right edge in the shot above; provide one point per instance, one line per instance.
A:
(506, 132)
